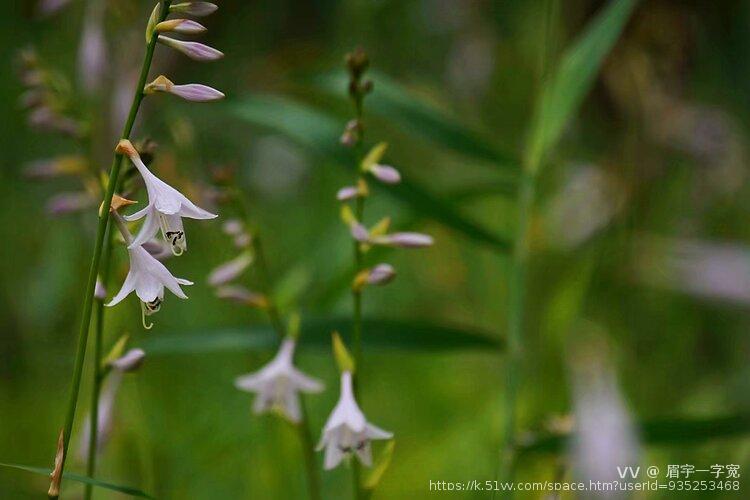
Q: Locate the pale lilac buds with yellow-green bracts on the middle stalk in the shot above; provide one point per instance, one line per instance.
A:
(379, 233)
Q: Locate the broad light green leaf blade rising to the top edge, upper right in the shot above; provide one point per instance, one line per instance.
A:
(563, 94)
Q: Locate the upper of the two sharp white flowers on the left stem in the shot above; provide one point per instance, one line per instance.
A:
(166, 207)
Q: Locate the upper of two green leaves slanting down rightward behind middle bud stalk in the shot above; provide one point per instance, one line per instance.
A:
(417, 116)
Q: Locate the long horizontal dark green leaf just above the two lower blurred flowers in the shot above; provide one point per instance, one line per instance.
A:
(378, 333)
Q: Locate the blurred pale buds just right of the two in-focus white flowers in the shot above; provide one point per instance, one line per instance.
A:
(223, 277)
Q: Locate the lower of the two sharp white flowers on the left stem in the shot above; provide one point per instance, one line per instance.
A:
(148, 277)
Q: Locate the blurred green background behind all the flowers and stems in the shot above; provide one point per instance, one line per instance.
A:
(639, 281)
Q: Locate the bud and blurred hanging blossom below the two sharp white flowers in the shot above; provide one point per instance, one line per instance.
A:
(113, 367)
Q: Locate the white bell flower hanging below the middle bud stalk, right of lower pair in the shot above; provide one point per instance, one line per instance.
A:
(347, 431)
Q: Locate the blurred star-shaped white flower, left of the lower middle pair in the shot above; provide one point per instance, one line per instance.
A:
(278, 383)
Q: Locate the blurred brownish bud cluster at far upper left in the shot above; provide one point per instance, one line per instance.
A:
(46, 96)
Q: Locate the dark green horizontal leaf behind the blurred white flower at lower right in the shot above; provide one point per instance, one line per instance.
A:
(658, 432)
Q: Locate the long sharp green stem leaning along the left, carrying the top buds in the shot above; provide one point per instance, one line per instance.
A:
(96, 259)
